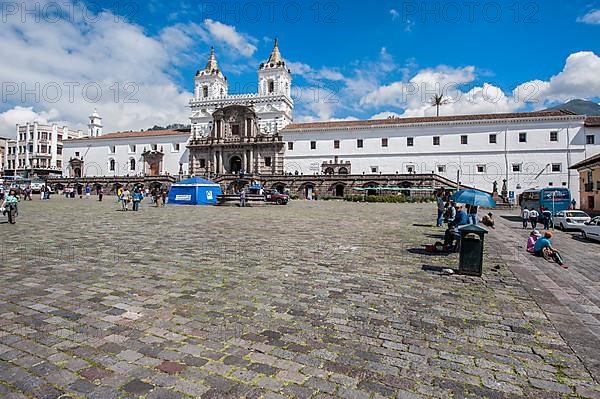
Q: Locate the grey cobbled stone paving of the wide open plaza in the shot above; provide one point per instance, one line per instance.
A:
(312, 300)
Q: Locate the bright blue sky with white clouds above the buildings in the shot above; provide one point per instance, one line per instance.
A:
(363, 59)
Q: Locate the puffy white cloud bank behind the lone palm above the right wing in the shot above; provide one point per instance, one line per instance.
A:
(578, 79)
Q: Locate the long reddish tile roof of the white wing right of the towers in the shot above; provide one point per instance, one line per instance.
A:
(429, 119)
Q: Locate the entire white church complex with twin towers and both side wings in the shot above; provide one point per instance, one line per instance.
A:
(527, 150)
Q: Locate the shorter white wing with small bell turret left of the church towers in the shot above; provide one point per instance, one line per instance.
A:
(147, 153)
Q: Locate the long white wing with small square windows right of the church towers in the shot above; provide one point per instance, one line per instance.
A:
(525, 149)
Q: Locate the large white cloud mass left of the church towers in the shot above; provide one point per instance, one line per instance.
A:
(135, 72)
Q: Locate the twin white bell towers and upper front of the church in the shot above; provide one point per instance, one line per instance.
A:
(272, 102)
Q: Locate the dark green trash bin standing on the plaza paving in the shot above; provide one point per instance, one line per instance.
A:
(471, 250)
